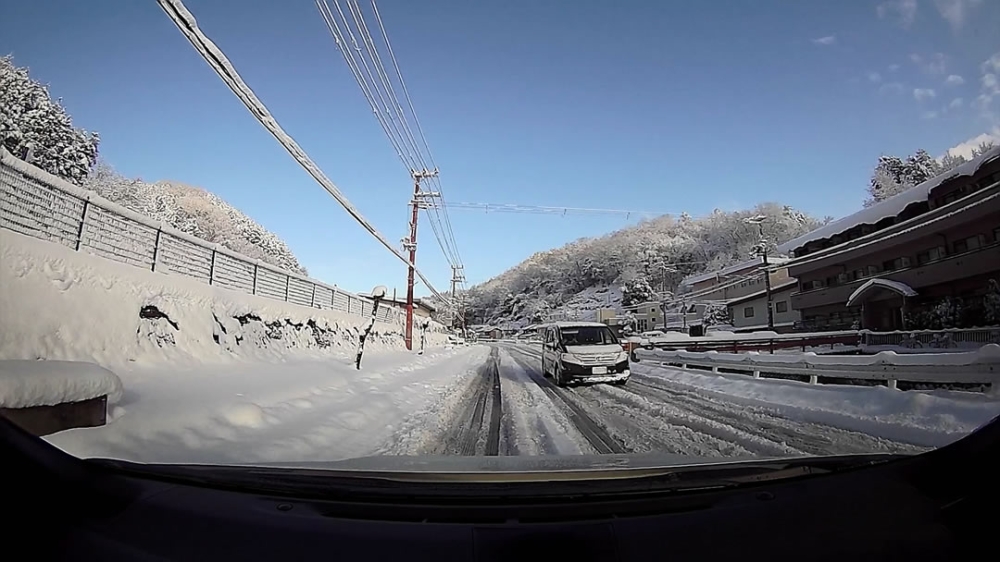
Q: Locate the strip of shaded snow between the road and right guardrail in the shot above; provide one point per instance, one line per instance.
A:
(925, 418)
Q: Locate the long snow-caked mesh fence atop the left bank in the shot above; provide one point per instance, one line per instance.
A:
(38, 204)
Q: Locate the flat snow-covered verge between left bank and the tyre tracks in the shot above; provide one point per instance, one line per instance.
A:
(297, 410)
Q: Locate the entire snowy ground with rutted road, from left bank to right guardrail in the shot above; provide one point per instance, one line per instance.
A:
(494, 401)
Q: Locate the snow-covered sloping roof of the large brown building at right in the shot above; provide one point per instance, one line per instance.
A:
(891, 206)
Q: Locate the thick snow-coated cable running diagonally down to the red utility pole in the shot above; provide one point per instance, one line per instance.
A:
(214, 56)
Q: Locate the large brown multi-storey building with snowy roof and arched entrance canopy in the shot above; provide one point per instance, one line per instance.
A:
(886, 267)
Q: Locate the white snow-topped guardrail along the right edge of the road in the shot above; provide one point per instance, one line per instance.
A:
(976, 367)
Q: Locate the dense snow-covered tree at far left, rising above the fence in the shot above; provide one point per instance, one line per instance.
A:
(35, 127)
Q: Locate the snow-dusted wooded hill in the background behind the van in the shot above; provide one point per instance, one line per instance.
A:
(658, 252)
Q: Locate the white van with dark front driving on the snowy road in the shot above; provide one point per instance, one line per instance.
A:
(583, 352)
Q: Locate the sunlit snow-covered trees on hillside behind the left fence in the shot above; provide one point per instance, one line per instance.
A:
(194, 211)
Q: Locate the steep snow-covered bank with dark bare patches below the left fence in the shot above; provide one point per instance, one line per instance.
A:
(62, 304)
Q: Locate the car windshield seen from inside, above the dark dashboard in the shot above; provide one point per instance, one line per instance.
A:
(773, 231)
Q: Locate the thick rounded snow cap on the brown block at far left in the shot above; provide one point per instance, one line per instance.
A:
(24, 384)
